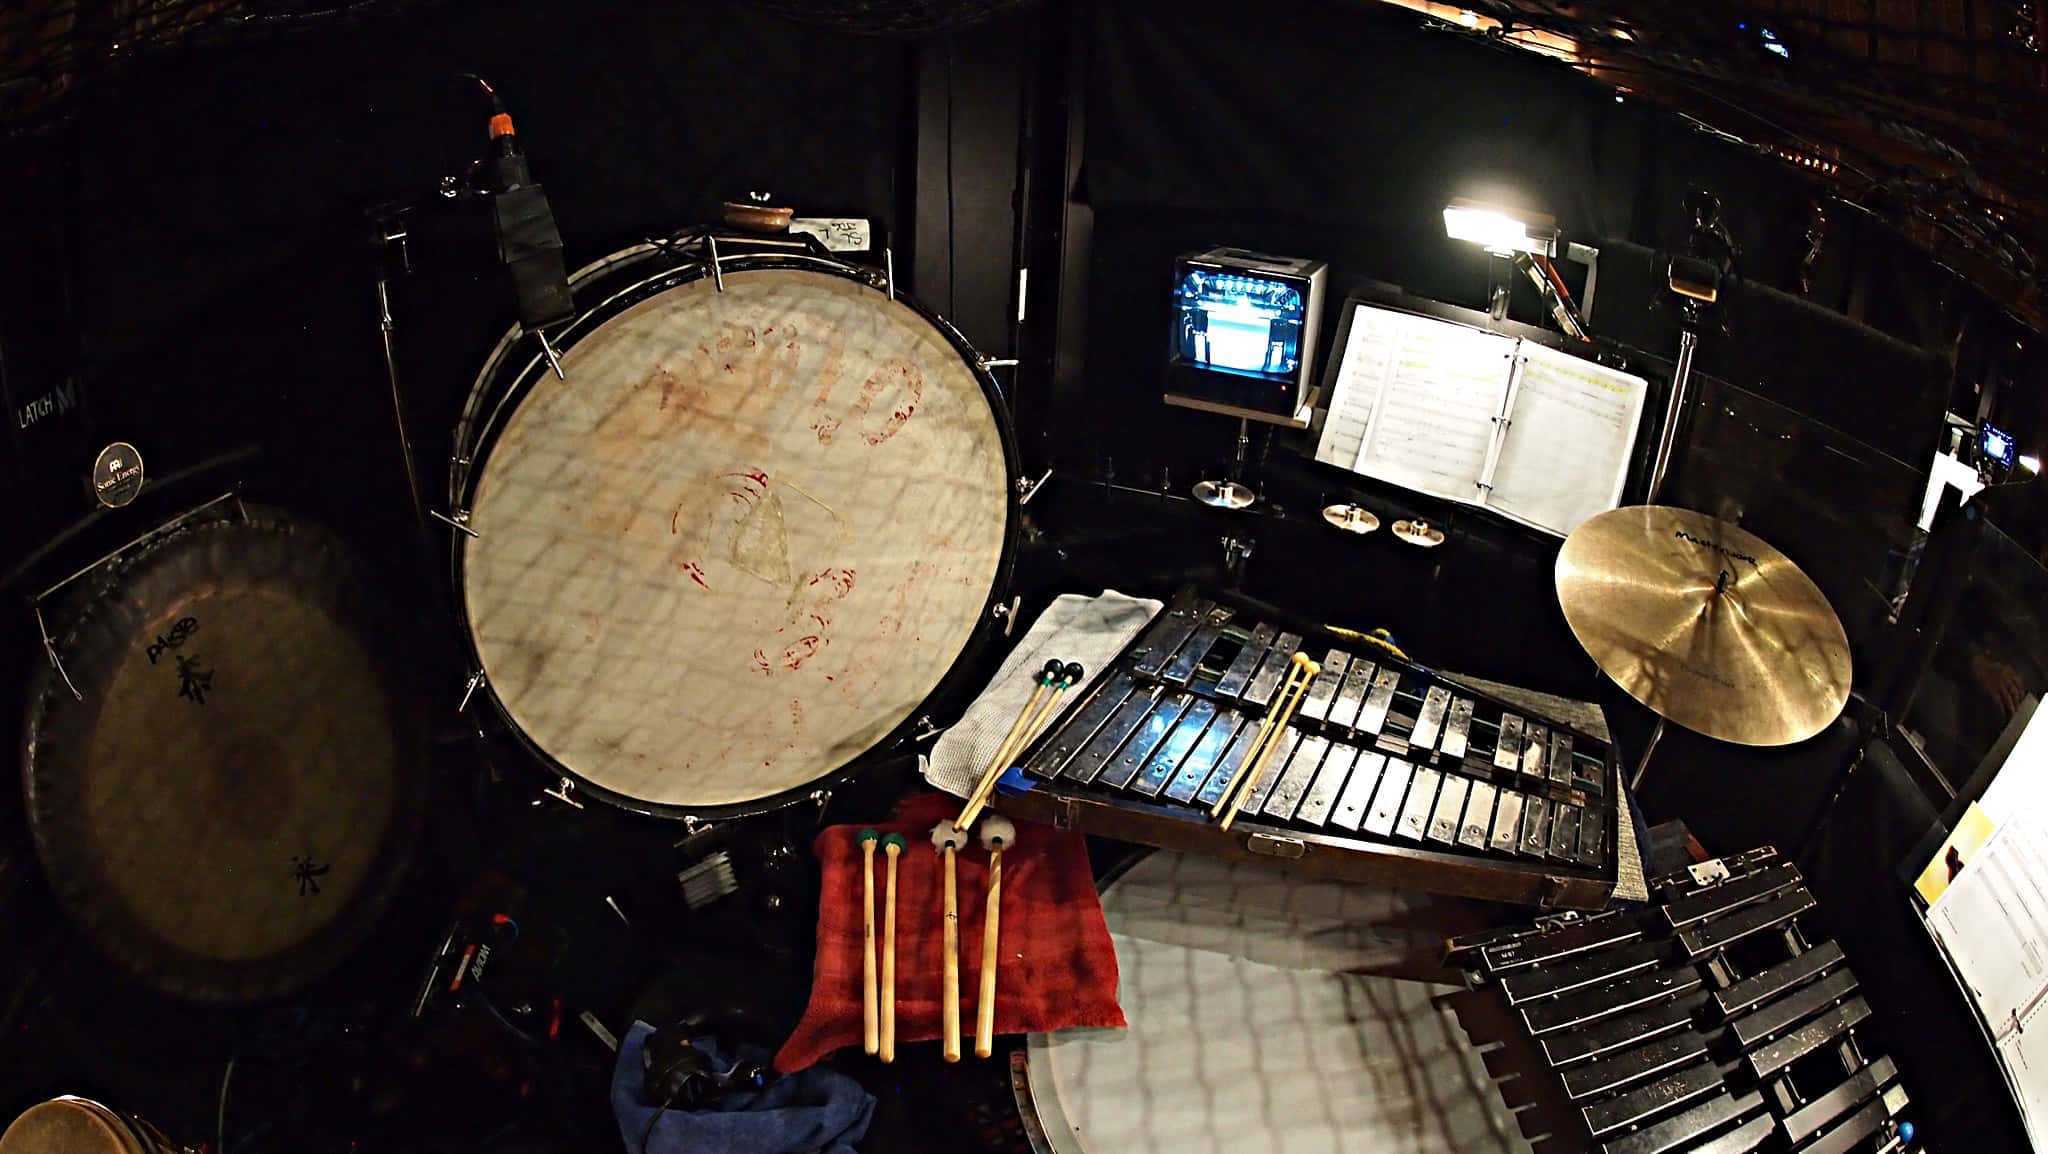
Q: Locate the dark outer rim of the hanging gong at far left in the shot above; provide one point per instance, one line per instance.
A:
(316, 958)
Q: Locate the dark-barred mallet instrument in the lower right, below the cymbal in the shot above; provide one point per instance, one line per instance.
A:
(1709, 1024)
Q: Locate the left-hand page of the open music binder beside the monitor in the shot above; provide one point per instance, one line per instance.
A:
(1439, 409)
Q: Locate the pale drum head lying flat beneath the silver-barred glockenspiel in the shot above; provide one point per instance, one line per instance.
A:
(1250, 1034)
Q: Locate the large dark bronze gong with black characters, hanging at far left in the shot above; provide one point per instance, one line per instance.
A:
(224, 780)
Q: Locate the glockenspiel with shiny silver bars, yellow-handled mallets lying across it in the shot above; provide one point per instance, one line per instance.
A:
(1381, 772)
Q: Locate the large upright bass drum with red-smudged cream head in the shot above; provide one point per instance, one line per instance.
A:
(740, 540)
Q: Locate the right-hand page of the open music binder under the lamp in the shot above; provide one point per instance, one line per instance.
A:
(1568, 444)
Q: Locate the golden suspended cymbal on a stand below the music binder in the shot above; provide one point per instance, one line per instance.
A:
(1705, 624)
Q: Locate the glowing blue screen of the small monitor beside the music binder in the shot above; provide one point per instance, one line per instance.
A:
(1238, 323)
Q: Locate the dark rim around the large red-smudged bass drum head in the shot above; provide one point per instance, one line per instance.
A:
(505, 382)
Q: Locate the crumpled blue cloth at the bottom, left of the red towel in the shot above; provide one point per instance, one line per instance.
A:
(812, 1112)
